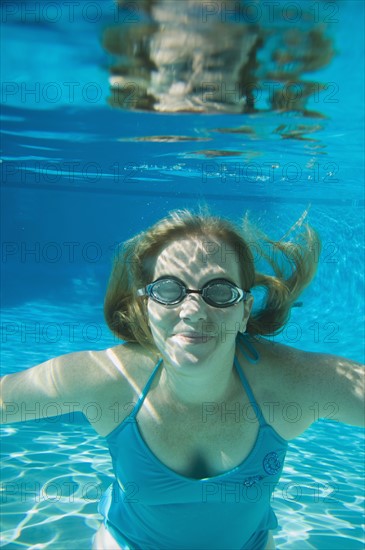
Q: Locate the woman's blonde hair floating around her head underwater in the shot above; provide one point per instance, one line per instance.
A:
(292, 262)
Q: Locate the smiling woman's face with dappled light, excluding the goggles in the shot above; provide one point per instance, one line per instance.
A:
(193, 331)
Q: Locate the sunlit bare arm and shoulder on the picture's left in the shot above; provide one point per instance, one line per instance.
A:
(87, 381)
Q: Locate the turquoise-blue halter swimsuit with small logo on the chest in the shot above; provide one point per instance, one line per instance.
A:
(151, 507)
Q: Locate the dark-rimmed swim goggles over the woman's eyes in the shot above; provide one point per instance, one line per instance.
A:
(170, 291)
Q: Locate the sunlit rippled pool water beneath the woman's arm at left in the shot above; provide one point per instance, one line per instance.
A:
(45, 499)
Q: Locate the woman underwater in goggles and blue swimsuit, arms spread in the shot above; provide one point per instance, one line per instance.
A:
(185, 401)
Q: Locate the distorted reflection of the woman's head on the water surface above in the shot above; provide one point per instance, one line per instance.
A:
(216, 57)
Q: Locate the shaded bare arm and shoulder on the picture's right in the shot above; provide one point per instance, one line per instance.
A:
(304, 387)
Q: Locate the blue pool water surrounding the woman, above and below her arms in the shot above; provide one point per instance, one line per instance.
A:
(80, 175)
